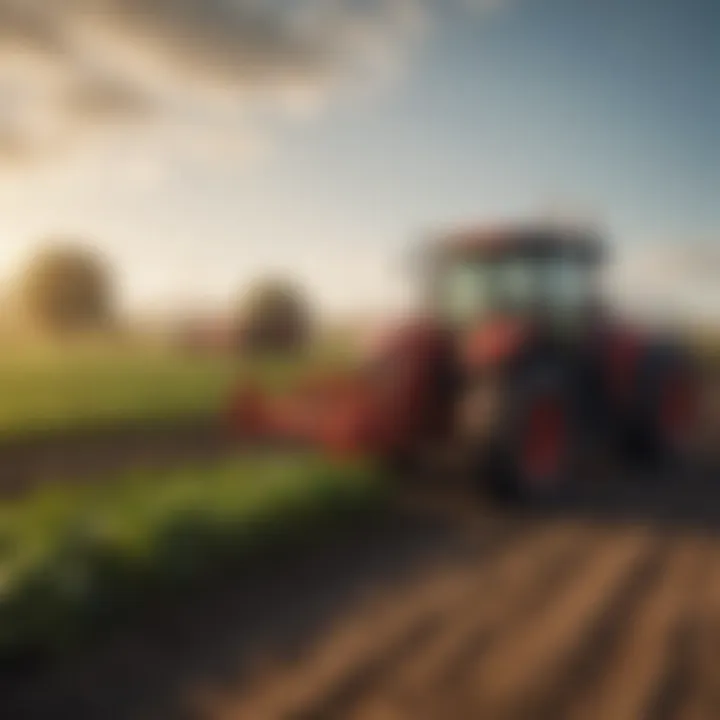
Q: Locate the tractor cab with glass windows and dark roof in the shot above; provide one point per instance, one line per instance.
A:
(543, 276)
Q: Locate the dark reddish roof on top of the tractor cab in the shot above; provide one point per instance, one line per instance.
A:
(530, 241)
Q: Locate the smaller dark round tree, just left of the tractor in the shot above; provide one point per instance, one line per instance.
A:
(274, 317)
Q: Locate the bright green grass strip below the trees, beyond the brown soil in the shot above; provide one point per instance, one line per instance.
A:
(48, 392)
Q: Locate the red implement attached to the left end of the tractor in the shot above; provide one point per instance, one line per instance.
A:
(386, 406)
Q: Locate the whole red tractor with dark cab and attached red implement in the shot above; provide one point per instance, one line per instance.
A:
(514, 363)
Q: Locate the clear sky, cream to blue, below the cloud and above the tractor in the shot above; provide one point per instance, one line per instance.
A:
(612, 107)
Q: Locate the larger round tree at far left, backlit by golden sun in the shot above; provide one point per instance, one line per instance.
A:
(67, 288)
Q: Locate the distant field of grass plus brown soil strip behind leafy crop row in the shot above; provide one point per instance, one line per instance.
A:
(74, 417)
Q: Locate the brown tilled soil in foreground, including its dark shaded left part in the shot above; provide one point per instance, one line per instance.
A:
(606, 607)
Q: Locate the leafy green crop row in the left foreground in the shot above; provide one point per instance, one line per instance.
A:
(75, 560)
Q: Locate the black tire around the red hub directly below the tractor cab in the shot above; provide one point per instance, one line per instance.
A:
(502, 466)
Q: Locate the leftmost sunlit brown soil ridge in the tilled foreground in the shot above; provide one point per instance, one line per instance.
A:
(329, 677)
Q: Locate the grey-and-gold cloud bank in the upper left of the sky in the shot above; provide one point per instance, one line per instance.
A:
(72, 66)
